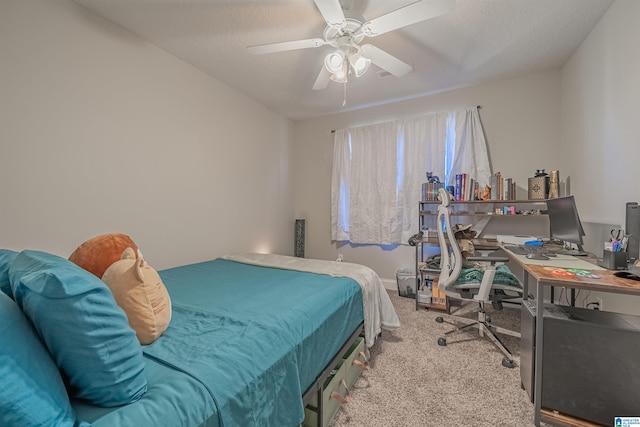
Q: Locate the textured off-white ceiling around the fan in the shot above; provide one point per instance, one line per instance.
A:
(479, 41)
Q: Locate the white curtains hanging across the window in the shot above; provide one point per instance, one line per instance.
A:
(378, 172)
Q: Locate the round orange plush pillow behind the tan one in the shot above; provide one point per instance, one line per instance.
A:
(97, 254)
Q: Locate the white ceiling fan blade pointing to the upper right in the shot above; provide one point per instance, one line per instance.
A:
(410, 14)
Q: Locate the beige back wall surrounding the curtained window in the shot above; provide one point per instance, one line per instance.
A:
(521, 119)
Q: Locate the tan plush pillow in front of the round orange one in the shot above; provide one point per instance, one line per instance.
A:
(139, 291)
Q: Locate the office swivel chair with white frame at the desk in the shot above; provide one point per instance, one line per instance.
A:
(485, 284)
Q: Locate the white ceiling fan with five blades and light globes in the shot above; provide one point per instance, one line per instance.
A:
(346, 29)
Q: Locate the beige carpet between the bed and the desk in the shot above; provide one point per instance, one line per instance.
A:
(415, 382)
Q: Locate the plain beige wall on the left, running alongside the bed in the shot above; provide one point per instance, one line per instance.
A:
(102, 132)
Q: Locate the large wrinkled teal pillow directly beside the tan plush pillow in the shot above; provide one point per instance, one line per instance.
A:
(86, 332)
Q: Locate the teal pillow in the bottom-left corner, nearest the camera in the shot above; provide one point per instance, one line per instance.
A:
(31, 391)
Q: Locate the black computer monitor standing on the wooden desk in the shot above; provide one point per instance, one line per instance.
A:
(565, 223)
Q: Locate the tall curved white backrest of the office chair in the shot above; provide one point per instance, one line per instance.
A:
(450, 253)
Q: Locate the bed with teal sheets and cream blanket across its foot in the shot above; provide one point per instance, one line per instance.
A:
(250, 336)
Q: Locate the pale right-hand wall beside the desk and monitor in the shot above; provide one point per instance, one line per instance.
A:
(600, 119)
